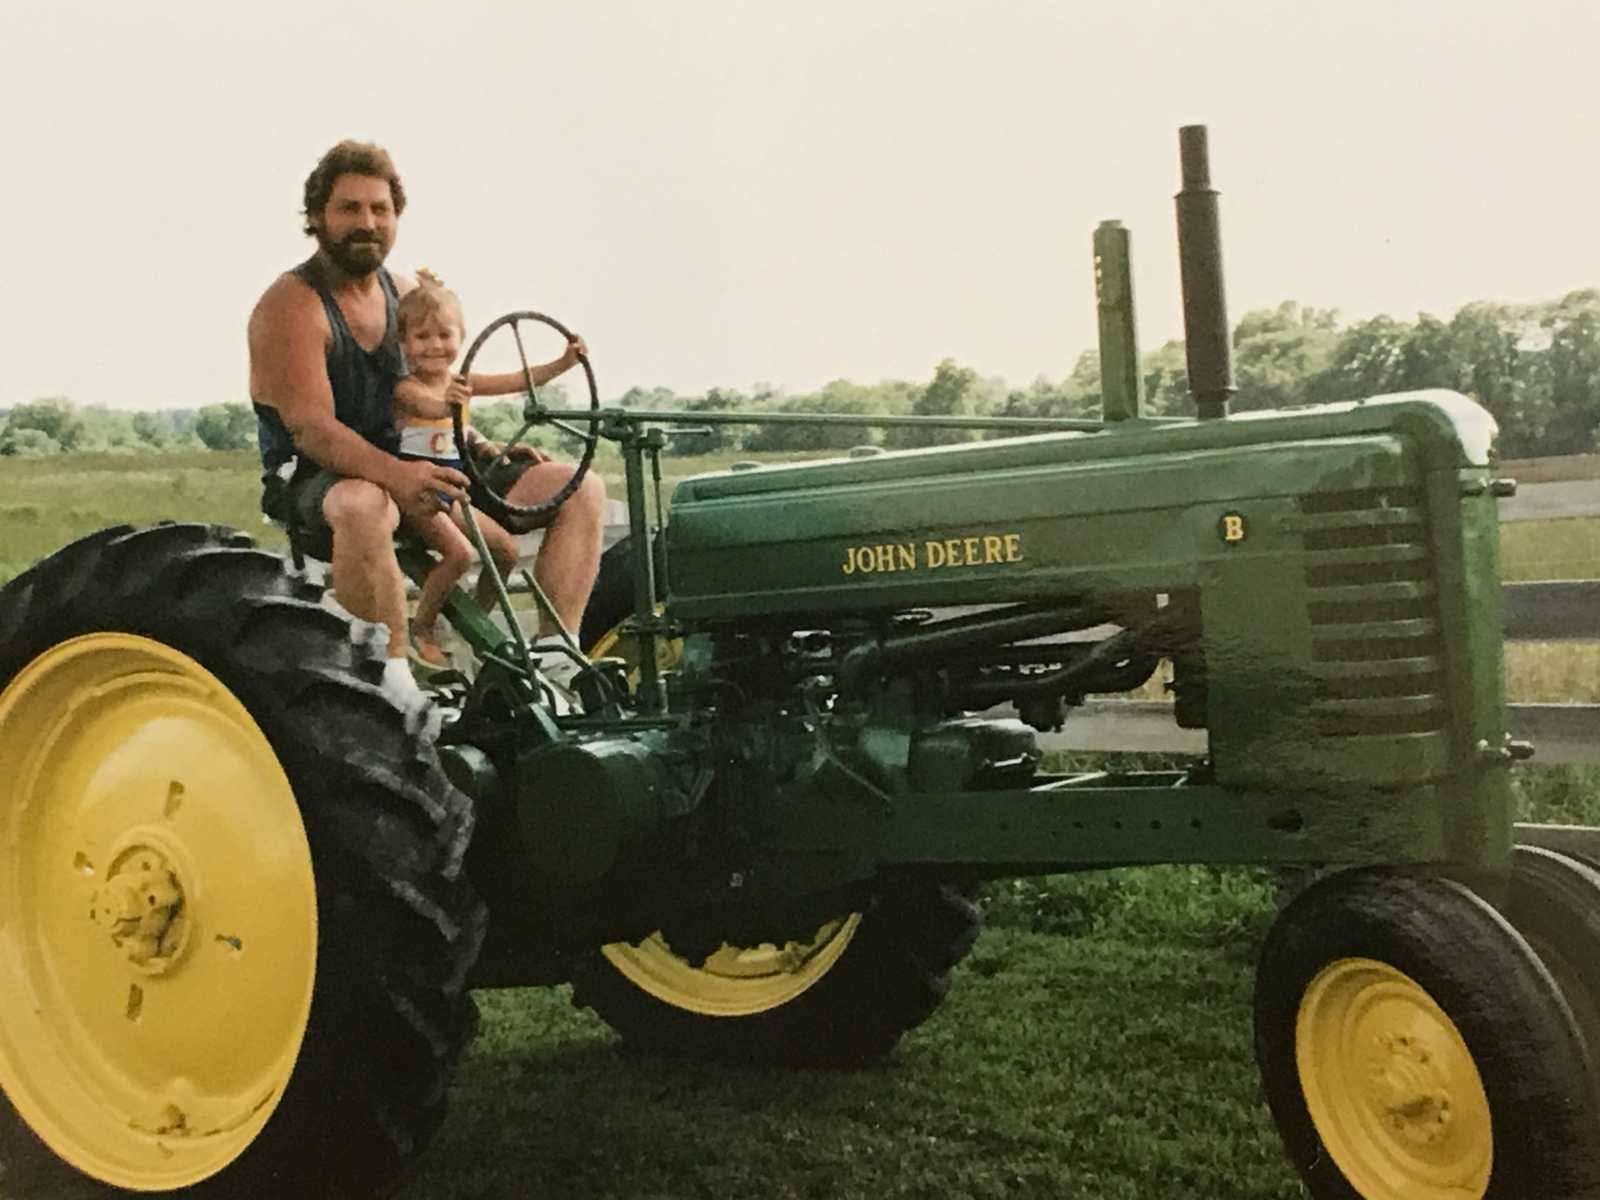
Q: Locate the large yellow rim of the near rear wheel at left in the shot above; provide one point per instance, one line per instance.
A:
(158, 914)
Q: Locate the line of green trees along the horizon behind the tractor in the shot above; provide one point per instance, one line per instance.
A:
(1535, 367)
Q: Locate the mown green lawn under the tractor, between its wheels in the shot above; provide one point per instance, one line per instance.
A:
(1100, 1068)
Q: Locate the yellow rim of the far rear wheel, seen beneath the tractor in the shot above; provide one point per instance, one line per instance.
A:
(737, 980)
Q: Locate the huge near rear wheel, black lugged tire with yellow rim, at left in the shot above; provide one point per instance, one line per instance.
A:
(233, 910)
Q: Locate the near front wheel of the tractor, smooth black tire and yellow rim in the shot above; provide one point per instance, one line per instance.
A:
(1414, 1047)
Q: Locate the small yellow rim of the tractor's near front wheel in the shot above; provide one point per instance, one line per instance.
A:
(1391, 1086)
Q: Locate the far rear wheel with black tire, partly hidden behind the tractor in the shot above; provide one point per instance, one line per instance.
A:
(841, 998)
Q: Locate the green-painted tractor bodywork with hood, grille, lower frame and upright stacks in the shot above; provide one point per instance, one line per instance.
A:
(1148, 490)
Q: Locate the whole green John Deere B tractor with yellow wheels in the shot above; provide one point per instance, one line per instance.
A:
(244, 898)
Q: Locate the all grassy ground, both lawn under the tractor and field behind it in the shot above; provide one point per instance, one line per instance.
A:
(1095, 1046)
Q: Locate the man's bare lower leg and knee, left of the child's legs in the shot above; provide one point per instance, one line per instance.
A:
(367, 578)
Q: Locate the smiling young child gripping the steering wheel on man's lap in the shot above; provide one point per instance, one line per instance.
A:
(431, 330)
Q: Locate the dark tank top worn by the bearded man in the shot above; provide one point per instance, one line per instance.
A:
(364, 383)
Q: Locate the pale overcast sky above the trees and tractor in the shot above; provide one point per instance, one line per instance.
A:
(719, 194)
